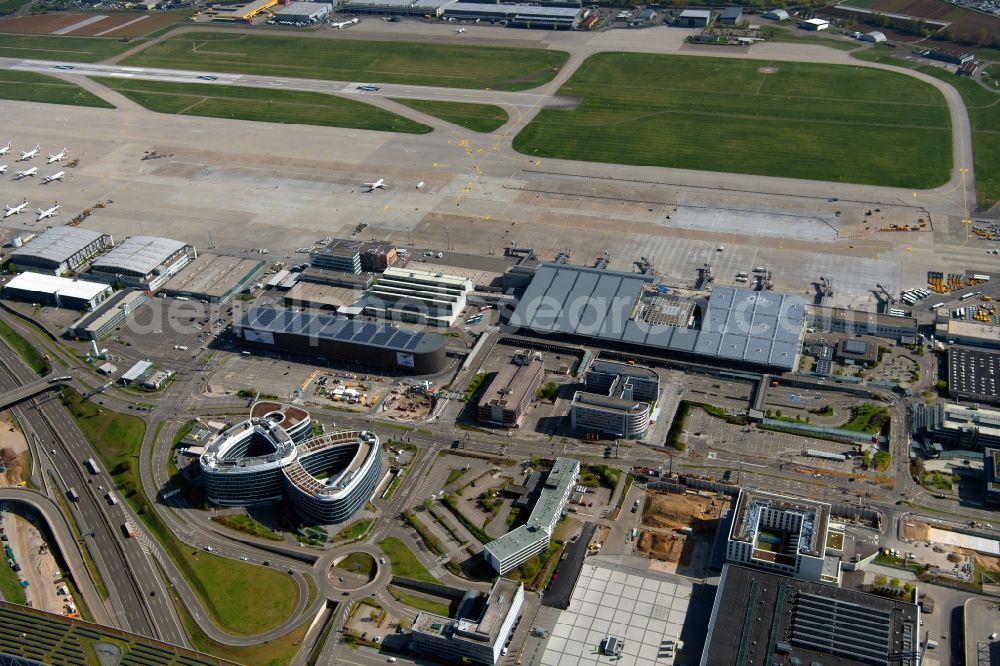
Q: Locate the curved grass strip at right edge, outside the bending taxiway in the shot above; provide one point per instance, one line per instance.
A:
(984, 116)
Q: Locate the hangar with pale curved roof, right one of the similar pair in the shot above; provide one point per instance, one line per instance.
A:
(143, 262)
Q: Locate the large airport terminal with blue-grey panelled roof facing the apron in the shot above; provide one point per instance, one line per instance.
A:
(736, 327)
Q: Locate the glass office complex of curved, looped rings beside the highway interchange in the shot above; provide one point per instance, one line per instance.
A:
(272, 456)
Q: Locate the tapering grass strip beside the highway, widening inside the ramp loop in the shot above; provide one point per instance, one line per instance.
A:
(241, 598)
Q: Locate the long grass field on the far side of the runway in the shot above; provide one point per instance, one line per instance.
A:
(458, 66)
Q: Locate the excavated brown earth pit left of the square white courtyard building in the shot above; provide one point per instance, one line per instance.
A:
(678, 529)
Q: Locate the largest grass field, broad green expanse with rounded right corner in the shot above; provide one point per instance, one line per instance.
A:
(800, 120)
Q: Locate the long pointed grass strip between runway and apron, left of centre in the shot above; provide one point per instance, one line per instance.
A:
(262, 105)
